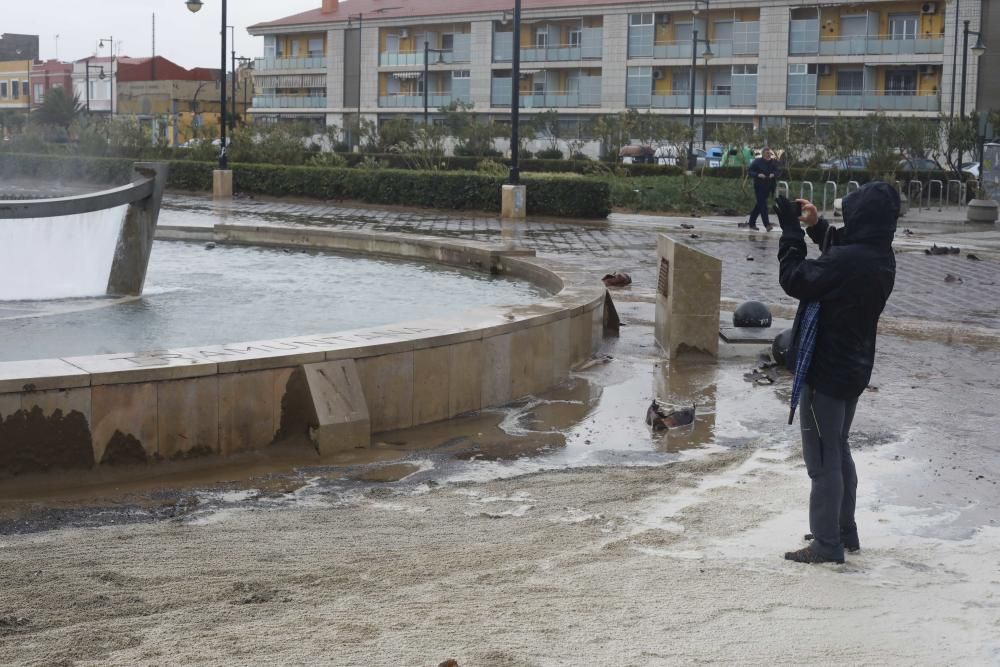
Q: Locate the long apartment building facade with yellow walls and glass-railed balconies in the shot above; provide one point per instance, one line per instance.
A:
(773, 62)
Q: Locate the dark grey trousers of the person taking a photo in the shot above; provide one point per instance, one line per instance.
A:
(826, 425)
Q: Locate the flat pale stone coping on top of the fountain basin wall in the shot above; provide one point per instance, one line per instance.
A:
(573, 293)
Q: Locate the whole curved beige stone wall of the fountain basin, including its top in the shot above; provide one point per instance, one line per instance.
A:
(338, 388)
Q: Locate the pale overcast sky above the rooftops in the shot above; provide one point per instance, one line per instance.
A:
(187, 39)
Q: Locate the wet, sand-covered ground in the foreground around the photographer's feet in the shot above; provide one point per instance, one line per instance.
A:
(558, 532)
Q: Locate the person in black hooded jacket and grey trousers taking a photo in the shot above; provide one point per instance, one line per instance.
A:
(851, 280)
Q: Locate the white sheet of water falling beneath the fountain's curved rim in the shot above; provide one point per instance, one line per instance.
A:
(57, 258)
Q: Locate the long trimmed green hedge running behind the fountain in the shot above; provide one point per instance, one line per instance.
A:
(548, 195)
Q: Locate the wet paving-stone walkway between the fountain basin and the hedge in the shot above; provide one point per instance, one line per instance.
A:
(628, 243)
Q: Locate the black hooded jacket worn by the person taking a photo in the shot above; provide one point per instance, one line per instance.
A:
(852, 279)
